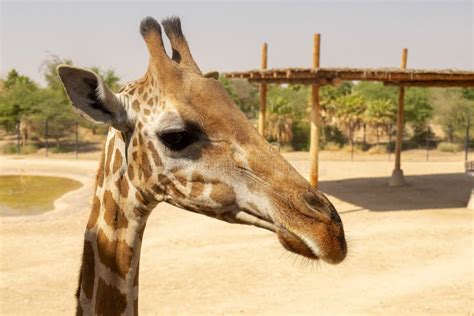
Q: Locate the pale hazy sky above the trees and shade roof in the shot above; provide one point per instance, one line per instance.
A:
(227, 35)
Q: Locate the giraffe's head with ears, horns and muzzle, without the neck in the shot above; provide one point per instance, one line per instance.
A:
(189, 145)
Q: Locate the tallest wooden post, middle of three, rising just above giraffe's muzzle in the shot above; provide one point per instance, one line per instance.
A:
(315, 117)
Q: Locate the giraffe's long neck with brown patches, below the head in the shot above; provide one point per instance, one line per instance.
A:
(108, 282)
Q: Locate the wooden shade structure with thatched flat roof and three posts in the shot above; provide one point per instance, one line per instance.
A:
(319, 76)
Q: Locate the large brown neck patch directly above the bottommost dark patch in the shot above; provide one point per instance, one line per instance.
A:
(116, 254)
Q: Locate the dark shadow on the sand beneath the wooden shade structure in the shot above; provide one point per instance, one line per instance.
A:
(450, 190)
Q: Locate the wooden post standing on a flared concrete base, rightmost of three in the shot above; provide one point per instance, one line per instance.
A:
(397, 178)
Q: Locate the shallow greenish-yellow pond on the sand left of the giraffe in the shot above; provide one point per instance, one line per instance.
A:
(30, 195)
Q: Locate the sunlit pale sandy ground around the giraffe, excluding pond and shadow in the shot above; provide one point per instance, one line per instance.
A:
(410, 250)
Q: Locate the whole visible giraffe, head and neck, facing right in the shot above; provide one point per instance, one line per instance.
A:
(175, 136)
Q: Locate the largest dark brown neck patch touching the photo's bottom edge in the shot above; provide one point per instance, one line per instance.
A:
(110, 301)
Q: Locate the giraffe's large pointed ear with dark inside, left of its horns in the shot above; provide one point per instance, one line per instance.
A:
(91, 97)
